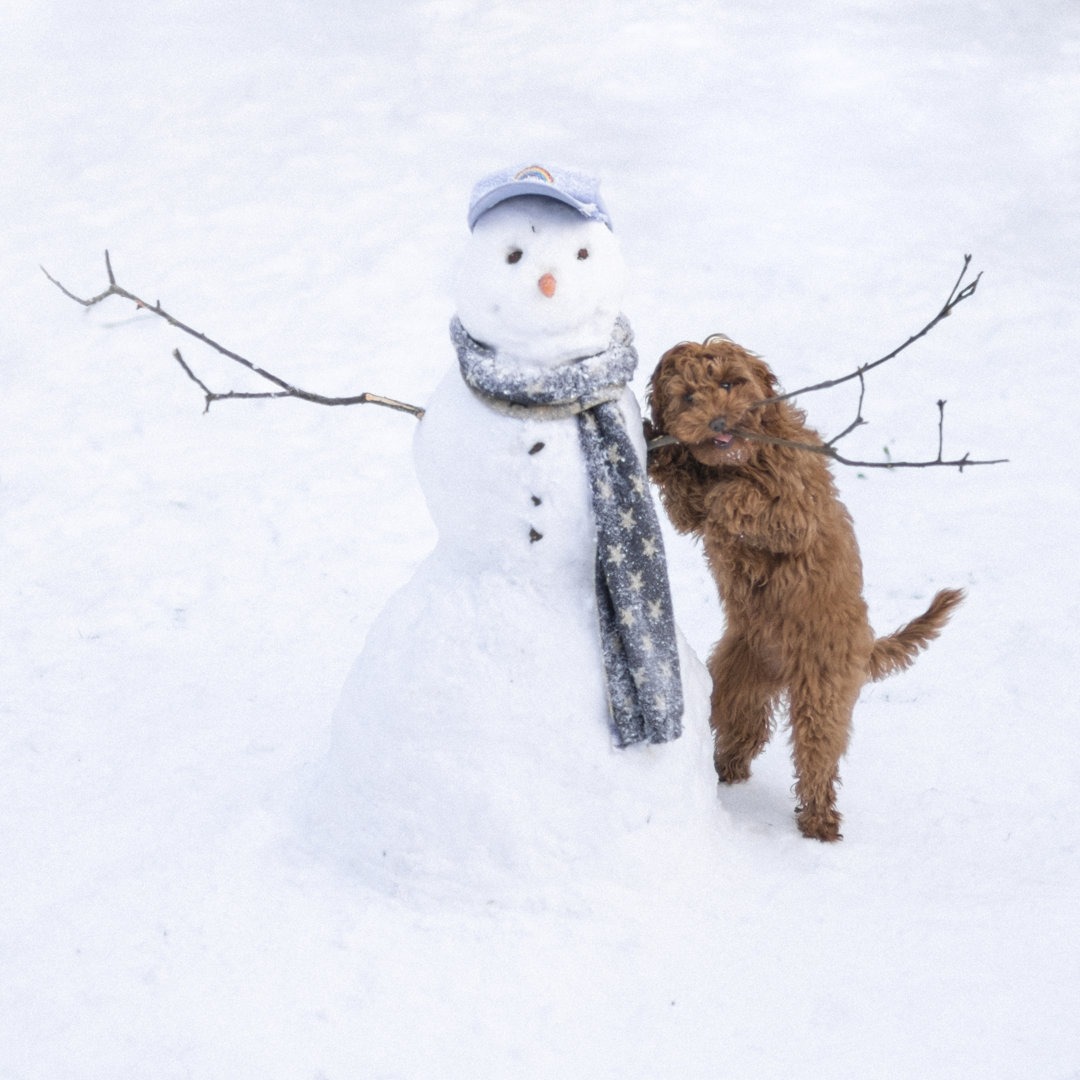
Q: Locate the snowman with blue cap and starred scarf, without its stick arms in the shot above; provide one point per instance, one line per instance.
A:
(525, 704)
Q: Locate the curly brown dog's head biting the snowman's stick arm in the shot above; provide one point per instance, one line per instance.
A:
(706, 395)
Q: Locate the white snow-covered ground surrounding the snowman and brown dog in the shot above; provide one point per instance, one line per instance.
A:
(184, 596)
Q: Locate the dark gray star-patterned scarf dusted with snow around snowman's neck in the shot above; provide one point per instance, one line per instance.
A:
(633, 598)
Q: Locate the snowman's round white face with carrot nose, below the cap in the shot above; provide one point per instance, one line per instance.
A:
(539, 282)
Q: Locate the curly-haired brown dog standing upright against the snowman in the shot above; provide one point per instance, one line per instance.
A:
(784, 552)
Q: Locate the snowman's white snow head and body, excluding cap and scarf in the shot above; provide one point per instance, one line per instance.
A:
(475, 736)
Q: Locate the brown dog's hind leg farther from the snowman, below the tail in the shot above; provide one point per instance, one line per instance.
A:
(821, 722)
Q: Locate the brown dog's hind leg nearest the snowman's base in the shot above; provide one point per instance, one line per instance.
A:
(745, 697)
